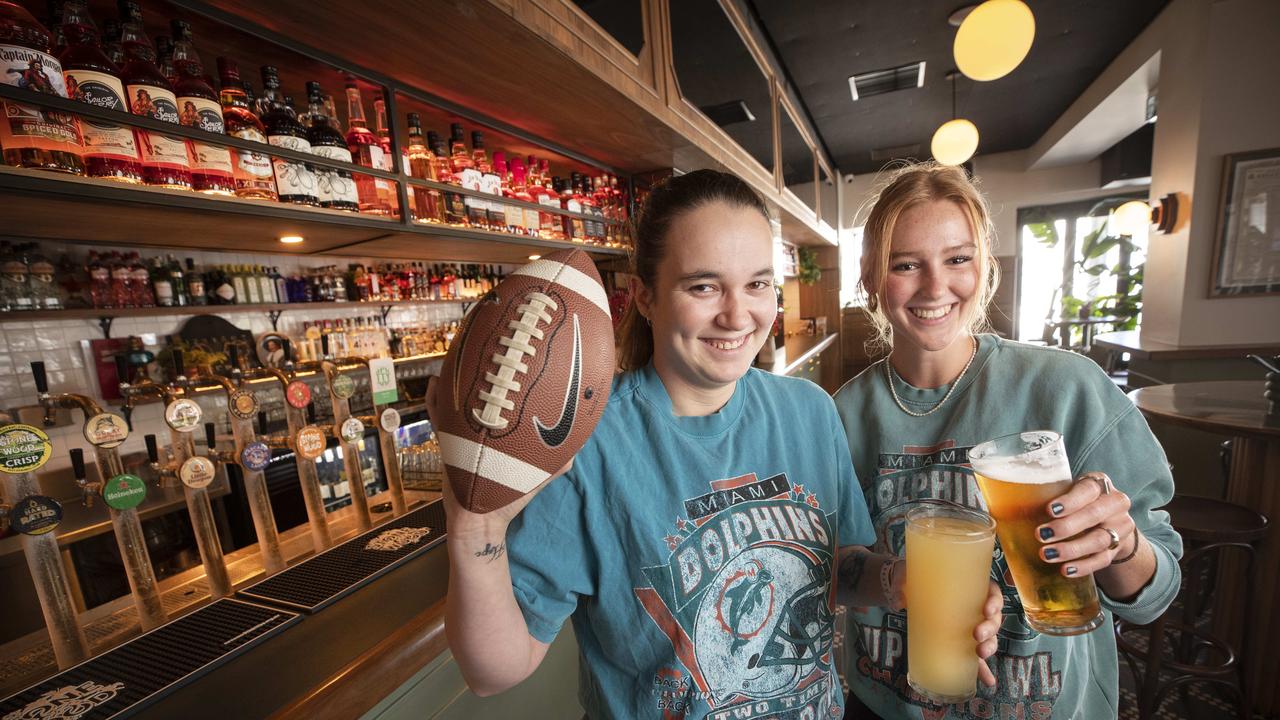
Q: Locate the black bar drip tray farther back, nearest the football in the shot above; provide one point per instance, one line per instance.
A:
(337, 572)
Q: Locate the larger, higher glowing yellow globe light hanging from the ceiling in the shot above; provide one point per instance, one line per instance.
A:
(995, 39)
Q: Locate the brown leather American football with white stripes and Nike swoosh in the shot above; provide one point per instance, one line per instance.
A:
(525, 381)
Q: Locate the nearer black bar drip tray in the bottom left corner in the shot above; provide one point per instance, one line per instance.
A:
(134, 676)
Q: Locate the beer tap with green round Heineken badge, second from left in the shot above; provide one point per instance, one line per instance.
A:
(121, 491)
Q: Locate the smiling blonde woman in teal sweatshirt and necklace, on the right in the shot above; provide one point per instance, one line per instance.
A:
(929, 276)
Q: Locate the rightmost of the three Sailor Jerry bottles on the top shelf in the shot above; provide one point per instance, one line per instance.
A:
(212, 170)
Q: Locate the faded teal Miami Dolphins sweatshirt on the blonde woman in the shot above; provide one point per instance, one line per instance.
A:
(902, 459)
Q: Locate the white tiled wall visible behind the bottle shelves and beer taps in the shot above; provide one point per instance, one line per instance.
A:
(63, 345)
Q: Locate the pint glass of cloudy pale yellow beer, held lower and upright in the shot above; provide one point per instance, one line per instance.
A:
(948, 569)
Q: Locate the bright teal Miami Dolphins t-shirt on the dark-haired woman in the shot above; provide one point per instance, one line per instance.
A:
(696, 555)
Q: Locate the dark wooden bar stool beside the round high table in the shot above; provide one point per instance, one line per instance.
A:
(1212, 530)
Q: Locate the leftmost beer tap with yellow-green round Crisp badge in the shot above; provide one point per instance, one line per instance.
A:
(26, 449)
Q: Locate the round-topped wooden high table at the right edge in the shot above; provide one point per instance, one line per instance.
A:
(1238, 409)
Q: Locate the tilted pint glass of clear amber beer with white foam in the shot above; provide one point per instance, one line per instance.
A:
(1020, 475)
